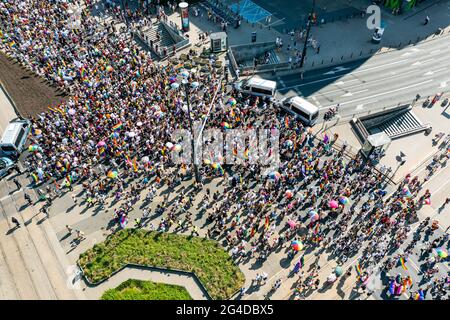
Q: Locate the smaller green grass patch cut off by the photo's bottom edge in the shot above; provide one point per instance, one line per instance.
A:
(146, 290)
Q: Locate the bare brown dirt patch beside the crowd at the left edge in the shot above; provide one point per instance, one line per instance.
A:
(31, 94)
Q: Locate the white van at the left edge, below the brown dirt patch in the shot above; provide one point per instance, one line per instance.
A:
(14, 138)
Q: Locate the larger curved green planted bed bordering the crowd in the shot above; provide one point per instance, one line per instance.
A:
(206, 258)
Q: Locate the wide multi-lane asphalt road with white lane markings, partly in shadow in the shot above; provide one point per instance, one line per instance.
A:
(383, 81)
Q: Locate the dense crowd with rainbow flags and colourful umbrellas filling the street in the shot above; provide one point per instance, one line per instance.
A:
(114, 136)
